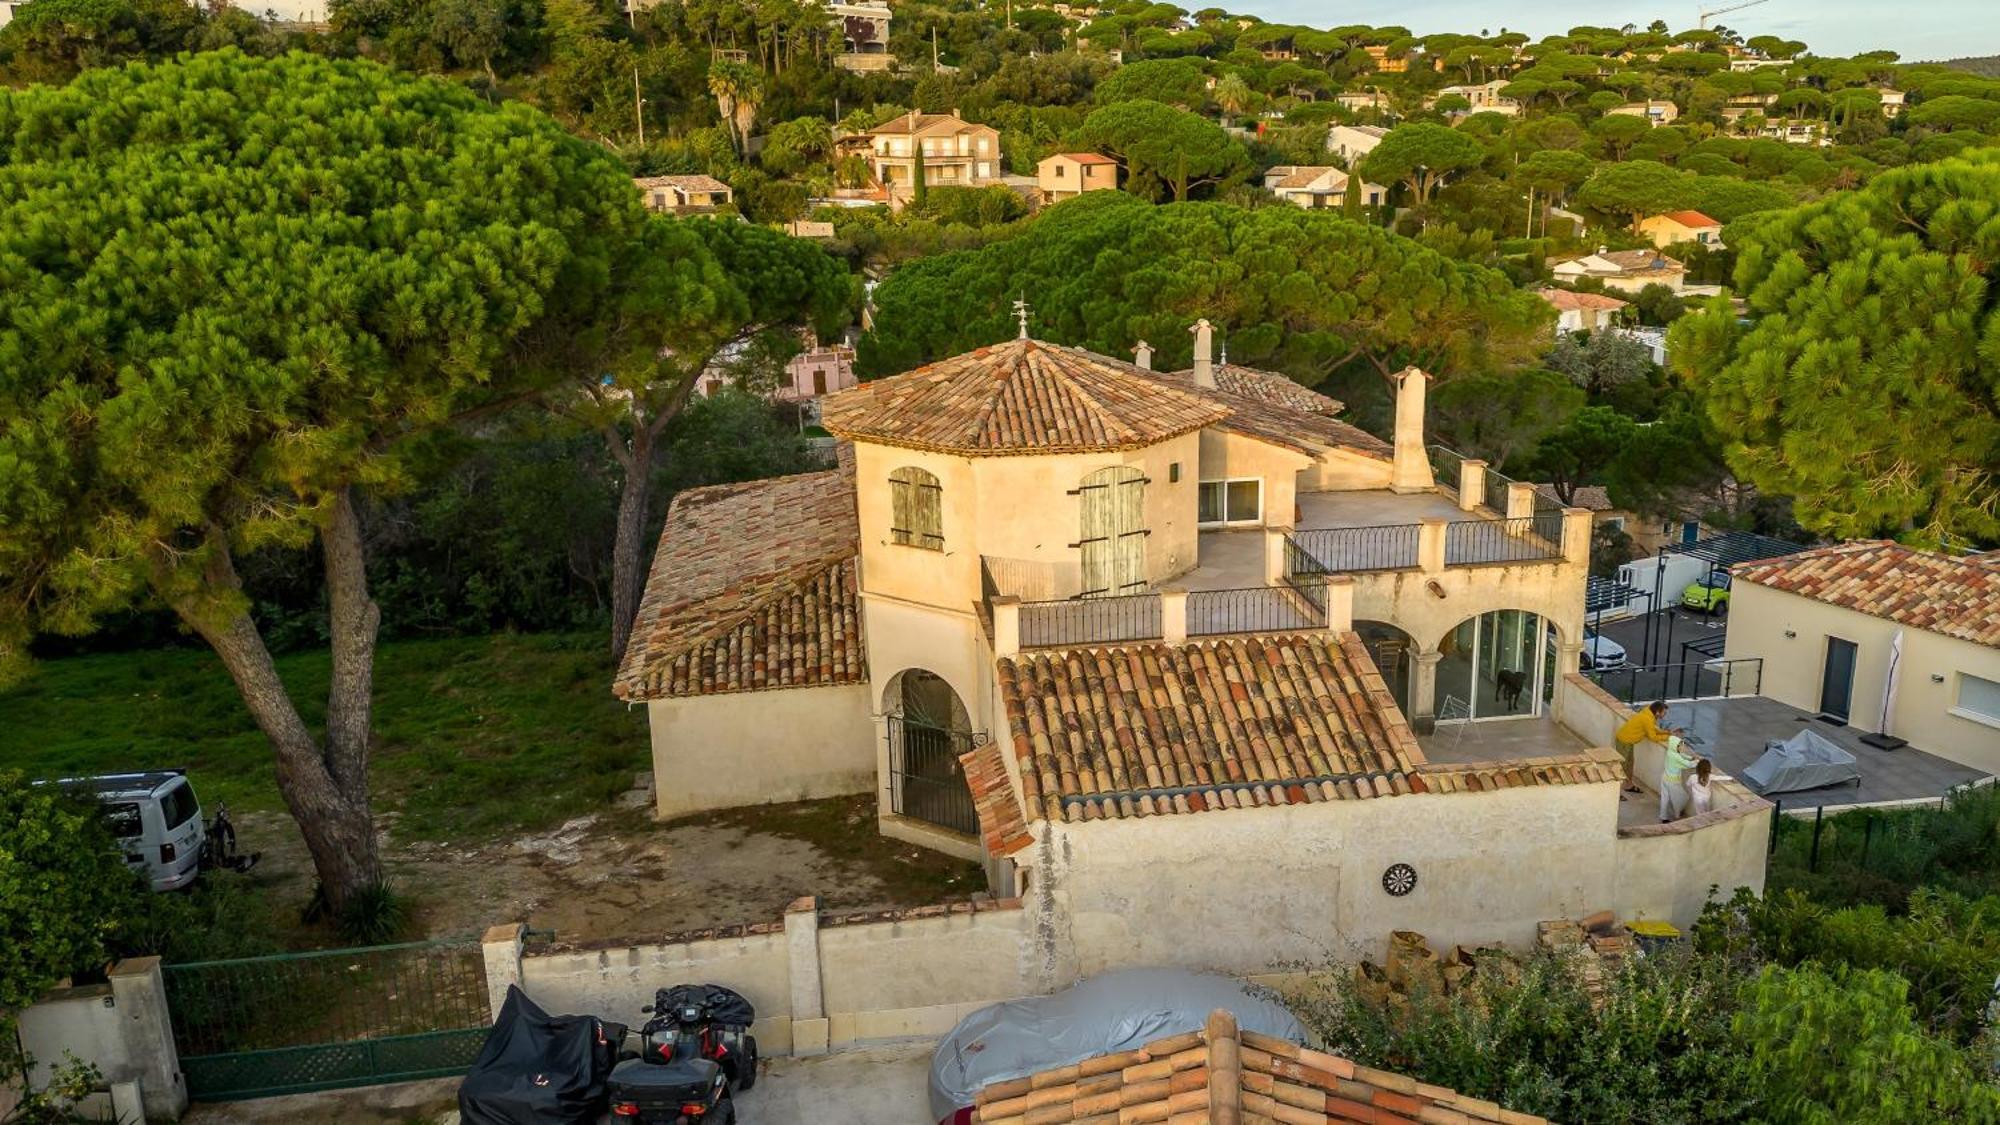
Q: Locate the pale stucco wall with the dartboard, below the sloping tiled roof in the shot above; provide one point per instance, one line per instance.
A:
(1247, 890)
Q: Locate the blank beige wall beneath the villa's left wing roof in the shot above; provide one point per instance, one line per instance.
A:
(719, 752)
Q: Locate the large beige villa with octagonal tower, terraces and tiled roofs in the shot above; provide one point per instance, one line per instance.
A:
(1121, 634)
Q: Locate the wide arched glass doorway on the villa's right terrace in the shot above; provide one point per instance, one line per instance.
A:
(1497, 666)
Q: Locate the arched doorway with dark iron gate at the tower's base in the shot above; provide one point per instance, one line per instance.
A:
(929, 728)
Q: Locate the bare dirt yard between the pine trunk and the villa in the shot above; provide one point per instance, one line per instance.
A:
(619, 874)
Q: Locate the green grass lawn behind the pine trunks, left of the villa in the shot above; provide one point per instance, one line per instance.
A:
(475, 736)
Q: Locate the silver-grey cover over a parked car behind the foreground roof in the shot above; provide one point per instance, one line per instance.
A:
(1107, 1014)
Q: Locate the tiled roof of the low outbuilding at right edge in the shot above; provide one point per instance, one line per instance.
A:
(1923, 590)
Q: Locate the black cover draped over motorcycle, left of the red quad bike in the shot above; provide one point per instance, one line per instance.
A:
(537, 1070)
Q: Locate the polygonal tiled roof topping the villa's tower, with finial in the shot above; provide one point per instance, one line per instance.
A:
(1019, 397)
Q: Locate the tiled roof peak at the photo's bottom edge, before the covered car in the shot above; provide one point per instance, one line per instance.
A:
(1223, 1076)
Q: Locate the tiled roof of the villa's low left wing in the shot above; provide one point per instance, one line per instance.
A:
(753, 588)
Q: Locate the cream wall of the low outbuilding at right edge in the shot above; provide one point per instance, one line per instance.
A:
(1795, 670)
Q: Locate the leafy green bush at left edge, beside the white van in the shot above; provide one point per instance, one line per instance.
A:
(65, 888)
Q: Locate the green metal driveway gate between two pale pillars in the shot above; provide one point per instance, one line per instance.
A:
(337, 1018)
